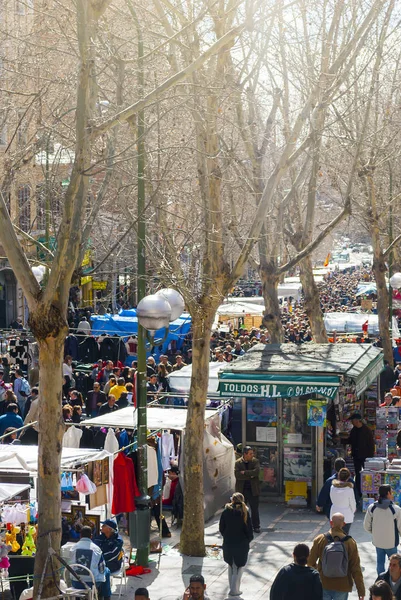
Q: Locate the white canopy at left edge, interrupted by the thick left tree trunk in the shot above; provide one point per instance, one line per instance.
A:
(25, 458)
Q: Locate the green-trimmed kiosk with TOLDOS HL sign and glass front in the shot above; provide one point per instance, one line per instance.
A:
(296, 400)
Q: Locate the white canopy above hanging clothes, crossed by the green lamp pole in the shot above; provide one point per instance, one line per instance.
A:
(168, 417)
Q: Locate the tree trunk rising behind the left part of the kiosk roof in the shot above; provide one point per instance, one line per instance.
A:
(272, 315)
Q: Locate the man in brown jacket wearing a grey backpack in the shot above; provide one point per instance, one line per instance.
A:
(335, 555)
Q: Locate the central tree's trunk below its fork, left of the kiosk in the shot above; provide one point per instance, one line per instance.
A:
(192, 540)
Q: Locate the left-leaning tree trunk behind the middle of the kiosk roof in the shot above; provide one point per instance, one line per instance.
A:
(312, 301)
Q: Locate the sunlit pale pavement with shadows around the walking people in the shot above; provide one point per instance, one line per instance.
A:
(282, 528)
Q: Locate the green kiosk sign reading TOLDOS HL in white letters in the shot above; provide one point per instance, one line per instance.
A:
(274, 390)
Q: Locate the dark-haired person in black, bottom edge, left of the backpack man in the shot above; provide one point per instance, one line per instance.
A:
(297, 580)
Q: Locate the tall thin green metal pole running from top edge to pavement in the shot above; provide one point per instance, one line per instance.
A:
(142, 518)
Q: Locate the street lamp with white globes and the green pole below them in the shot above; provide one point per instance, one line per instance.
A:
(153, 312)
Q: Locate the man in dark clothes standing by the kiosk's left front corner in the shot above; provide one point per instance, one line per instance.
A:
(247, 483)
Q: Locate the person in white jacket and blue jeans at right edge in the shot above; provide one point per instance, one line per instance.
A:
(383, 521)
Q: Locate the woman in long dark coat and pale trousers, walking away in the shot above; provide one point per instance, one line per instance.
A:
(236, 528)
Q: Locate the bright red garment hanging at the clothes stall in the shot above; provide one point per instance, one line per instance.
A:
(125, 487)
